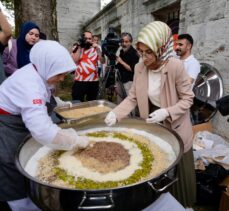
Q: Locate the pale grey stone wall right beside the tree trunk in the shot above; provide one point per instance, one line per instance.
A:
(72, 16)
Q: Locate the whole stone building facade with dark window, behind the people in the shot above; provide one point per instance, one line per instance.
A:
(205, 20)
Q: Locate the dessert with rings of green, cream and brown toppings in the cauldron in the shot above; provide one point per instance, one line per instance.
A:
(115, 157)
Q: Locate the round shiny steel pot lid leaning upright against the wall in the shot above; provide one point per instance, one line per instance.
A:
(208, 89)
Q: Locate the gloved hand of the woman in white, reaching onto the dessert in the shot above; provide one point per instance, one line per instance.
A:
(68, 139)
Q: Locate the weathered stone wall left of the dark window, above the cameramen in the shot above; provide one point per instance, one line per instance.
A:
(130, 15)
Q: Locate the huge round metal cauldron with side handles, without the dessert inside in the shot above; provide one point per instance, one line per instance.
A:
(132, 197)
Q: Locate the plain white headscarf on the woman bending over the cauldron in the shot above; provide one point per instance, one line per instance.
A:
(50, 59)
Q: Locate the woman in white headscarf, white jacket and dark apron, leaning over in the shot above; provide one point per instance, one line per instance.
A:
(23, 110)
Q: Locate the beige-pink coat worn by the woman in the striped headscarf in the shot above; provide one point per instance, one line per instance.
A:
(176, 97)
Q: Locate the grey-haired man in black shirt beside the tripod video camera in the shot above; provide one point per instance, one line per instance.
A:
(126, 61)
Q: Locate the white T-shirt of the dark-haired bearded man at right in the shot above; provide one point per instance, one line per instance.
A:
(192, 66)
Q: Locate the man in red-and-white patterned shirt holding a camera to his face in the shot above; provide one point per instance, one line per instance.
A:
(86, 56)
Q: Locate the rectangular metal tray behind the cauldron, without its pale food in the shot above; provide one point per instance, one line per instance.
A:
(76, 106)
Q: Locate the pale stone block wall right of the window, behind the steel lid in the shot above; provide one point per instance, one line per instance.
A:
(207, 21)
